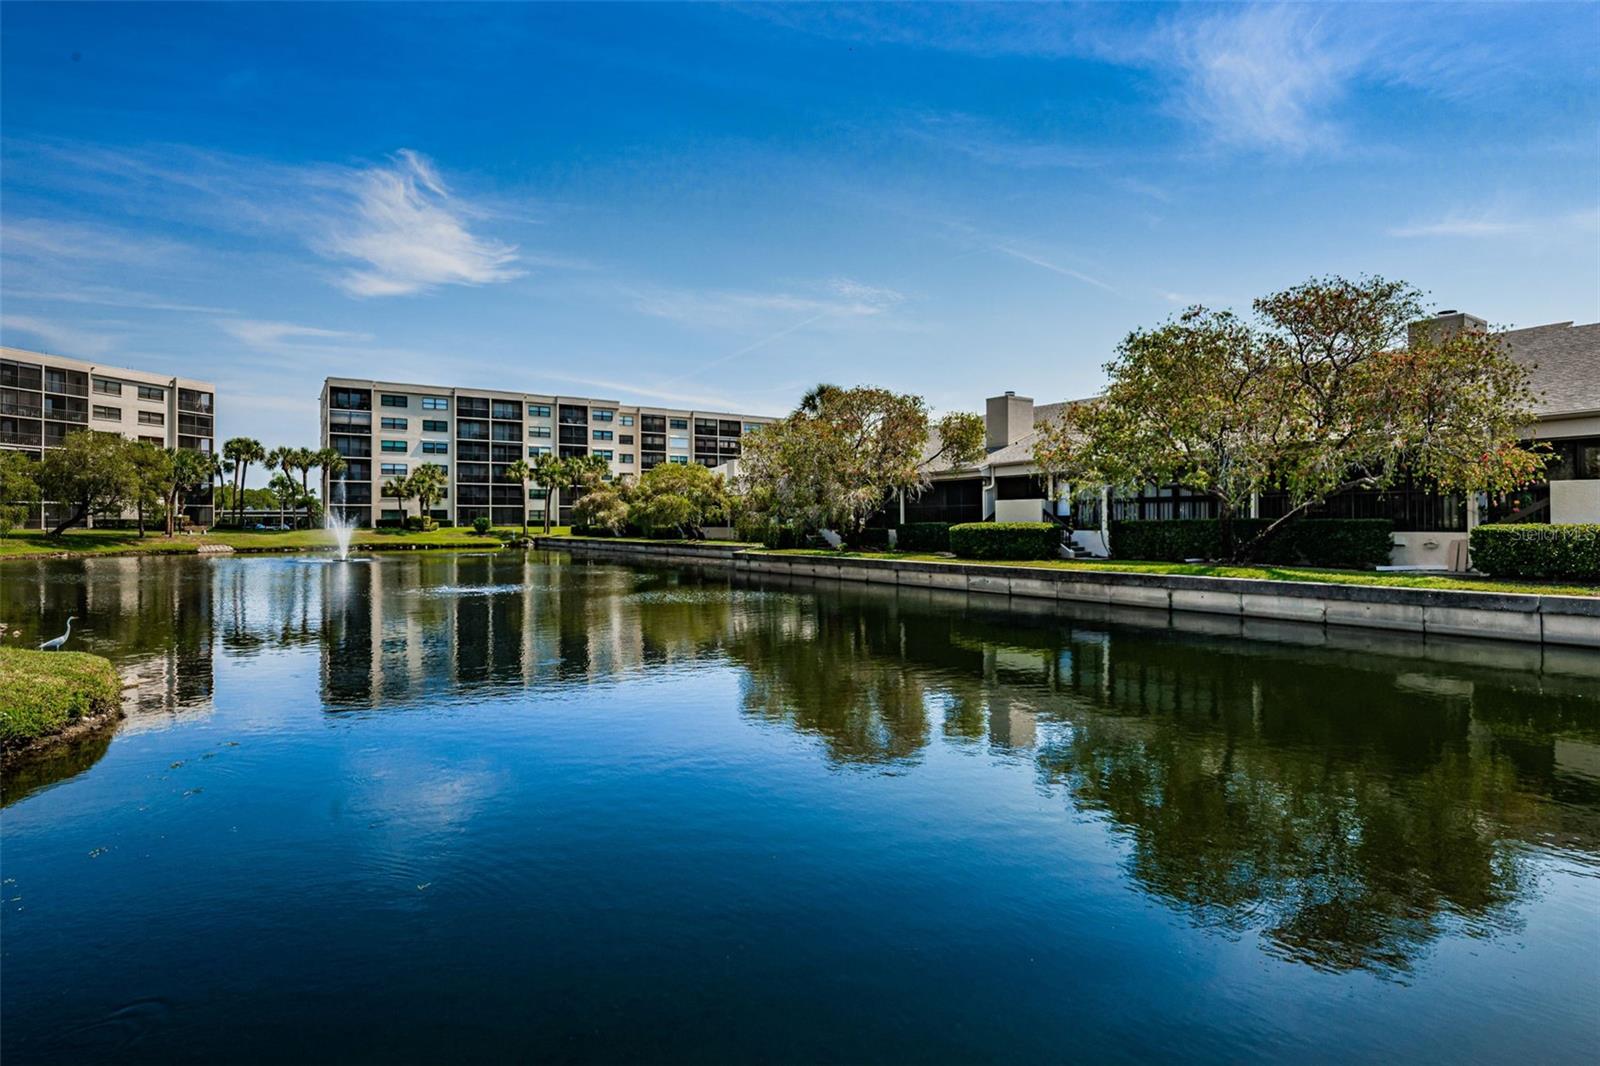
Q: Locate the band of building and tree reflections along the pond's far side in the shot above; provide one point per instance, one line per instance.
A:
(1351, 803)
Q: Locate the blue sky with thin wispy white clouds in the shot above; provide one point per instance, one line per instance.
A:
(722, 206)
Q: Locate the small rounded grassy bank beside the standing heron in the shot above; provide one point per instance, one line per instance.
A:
(44, 692)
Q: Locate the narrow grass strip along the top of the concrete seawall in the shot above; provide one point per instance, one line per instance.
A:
(1262, 574)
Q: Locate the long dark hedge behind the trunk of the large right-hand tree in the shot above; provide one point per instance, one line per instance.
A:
(1335, 543)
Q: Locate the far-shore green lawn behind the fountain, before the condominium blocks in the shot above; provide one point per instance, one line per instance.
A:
(23, 543)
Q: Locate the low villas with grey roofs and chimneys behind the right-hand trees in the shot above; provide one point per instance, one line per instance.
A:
(1564, 367)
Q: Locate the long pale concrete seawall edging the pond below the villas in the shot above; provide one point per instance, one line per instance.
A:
(1527, 619)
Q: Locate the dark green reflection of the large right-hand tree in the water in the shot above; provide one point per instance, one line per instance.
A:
(1351, 820)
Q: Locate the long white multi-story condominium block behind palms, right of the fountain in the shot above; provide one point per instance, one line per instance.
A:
(386, 430)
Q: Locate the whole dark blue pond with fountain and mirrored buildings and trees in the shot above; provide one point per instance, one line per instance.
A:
(502, 808)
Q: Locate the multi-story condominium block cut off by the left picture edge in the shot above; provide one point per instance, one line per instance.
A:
(46, 398)
